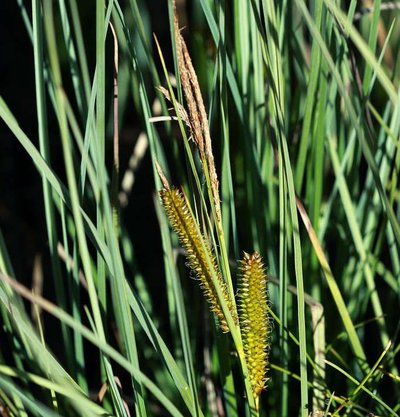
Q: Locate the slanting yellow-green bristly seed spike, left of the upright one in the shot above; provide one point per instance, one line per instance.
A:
(198, 252)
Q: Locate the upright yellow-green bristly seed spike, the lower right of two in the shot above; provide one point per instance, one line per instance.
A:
(253, 319)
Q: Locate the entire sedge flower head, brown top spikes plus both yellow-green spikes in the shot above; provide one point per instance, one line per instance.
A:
(252, 290)
